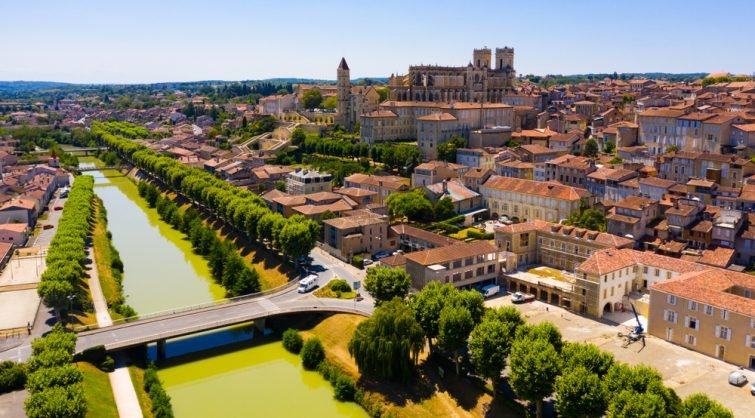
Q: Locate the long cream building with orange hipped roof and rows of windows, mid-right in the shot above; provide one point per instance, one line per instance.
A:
(523, 200)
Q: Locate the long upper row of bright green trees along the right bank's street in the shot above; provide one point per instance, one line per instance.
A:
(240, 209)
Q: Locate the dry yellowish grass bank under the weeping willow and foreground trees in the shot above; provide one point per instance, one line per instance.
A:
(428, 396)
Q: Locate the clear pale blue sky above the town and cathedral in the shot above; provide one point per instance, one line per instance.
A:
(133, 41)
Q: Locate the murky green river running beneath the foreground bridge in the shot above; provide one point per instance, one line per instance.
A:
(204, 376)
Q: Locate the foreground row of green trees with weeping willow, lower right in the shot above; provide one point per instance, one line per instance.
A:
(586, 382)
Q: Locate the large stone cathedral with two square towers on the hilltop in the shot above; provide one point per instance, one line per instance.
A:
(478, 82)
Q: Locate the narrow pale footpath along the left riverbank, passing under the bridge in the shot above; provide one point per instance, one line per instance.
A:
(120, 380)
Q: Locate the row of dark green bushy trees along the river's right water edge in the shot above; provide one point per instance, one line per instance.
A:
(227, 267)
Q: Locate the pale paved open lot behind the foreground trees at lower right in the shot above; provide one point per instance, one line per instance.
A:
(685, 371)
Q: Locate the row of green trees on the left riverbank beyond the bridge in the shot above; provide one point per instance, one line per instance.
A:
(60, 284)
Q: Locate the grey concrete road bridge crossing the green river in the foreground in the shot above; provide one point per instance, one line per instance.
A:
(164, 326)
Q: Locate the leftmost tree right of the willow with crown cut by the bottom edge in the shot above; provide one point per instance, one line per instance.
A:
(580, 393)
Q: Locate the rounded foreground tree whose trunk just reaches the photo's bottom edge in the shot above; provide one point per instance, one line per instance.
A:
(534, 368)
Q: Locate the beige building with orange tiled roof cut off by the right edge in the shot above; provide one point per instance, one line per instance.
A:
(710, 311)
